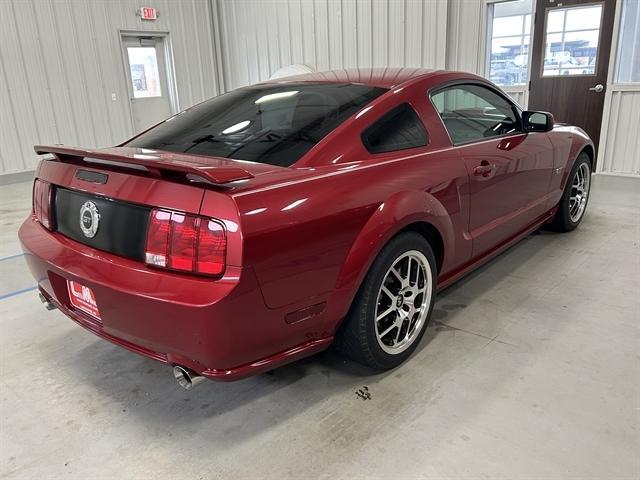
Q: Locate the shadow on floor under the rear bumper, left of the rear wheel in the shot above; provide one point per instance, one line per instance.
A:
(234, 410)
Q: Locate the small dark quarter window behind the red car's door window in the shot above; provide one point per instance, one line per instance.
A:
(398, 129)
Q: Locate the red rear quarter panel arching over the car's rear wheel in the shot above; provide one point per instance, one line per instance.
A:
(312, 240)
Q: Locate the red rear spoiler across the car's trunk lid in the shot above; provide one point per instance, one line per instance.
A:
(190, 168)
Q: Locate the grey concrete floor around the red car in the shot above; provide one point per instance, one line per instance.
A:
(530, 369)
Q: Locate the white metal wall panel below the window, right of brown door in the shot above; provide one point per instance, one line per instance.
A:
(622, 147)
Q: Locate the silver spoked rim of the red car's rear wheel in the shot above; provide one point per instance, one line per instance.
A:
(403, 302)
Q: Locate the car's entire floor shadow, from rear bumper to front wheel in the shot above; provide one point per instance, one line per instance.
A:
(146, 389)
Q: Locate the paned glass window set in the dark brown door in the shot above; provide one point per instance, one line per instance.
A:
(571, 40)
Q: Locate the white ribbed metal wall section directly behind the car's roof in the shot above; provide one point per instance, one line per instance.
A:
(260, 37)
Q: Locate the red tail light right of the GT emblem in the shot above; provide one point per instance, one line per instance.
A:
(186, 243)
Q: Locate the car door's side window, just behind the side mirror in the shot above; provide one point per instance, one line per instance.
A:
(474, 112)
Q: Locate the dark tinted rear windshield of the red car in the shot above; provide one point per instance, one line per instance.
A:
(274, 124)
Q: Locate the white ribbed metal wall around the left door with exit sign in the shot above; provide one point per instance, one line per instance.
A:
(60, 61)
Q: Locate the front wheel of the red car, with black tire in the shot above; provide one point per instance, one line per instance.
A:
(575, 196)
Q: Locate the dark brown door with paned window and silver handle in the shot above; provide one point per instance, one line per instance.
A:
(570, 60)
